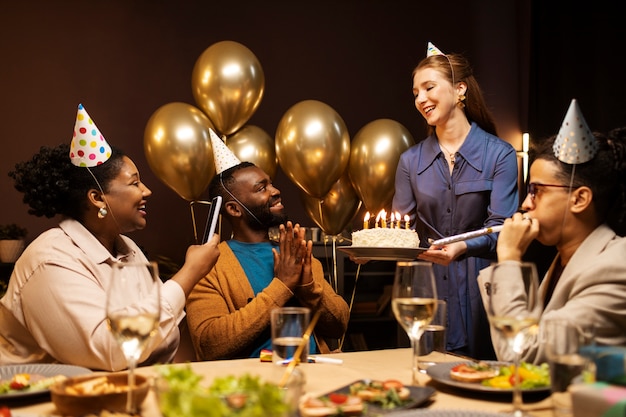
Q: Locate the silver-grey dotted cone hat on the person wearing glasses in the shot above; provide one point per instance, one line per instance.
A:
(575, 143)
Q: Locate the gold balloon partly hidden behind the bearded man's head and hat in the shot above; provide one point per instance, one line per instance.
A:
(253, 144)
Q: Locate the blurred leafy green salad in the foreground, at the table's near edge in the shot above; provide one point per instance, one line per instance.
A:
(181, 394)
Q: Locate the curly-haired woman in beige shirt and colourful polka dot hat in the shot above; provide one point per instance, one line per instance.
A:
(54, 307)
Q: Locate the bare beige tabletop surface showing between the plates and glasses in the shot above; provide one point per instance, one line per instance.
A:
(322, 378)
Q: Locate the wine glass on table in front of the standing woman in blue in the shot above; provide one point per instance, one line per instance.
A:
(414, 301)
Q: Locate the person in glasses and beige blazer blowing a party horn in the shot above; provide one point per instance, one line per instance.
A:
(581, 210)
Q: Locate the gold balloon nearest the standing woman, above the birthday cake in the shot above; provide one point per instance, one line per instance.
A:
(374, 156)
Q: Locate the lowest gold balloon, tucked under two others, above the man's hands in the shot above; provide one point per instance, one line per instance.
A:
(335, 210)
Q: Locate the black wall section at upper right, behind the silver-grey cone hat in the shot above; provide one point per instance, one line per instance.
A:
(577, 52)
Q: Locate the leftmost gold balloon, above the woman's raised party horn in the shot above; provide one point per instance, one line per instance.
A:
(178, 149)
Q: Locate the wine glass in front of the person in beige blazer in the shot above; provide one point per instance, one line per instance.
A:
(514, 309)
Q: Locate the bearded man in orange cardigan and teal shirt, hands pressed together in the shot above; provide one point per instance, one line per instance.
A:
(228, 311)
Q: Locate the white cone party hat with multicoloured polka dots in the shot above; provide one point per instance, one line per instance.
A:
(89, 148)
